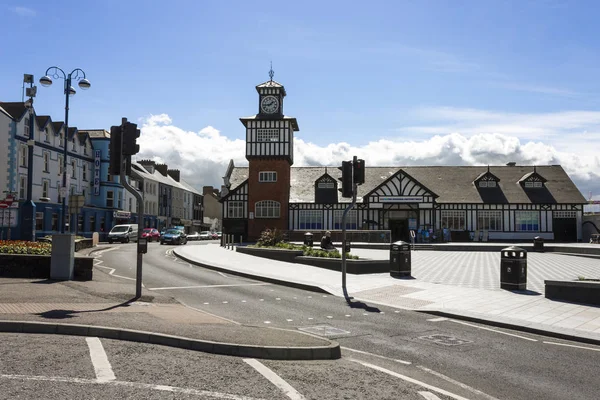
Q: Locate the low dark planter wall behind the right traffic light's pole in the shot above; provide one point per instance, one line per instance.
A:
(335, 264)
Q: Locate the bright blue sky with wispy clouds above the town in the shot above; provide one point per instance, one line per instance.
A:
(356, 73)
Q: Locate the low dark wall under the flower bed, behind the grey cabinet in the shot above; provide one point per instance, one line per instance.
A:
(38, 267)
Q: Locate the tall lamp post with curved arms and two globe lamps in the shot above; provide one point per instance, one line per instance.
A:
(79, 75)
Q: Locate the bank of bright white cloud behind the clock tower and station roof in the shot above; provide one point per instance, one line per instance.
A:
(203, 156)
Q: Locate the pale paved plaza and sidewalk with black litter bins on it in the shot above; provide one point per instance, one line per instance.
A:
(457, 284)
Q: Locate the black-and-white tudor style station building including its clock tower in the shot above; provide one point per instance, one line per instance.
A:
(499, 203)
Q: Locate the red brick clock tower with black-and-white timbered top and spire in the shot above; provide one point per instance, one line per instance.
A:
(270, 155)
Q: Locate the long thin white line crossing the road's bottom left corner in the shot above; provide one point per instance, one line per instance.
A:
(135, 385)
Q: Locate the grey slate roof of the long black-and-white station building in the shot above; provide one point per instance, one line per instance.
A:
(452, 184)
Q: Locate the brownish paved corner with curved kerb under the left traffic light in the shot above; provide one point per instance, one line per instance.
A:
(105, 307)
